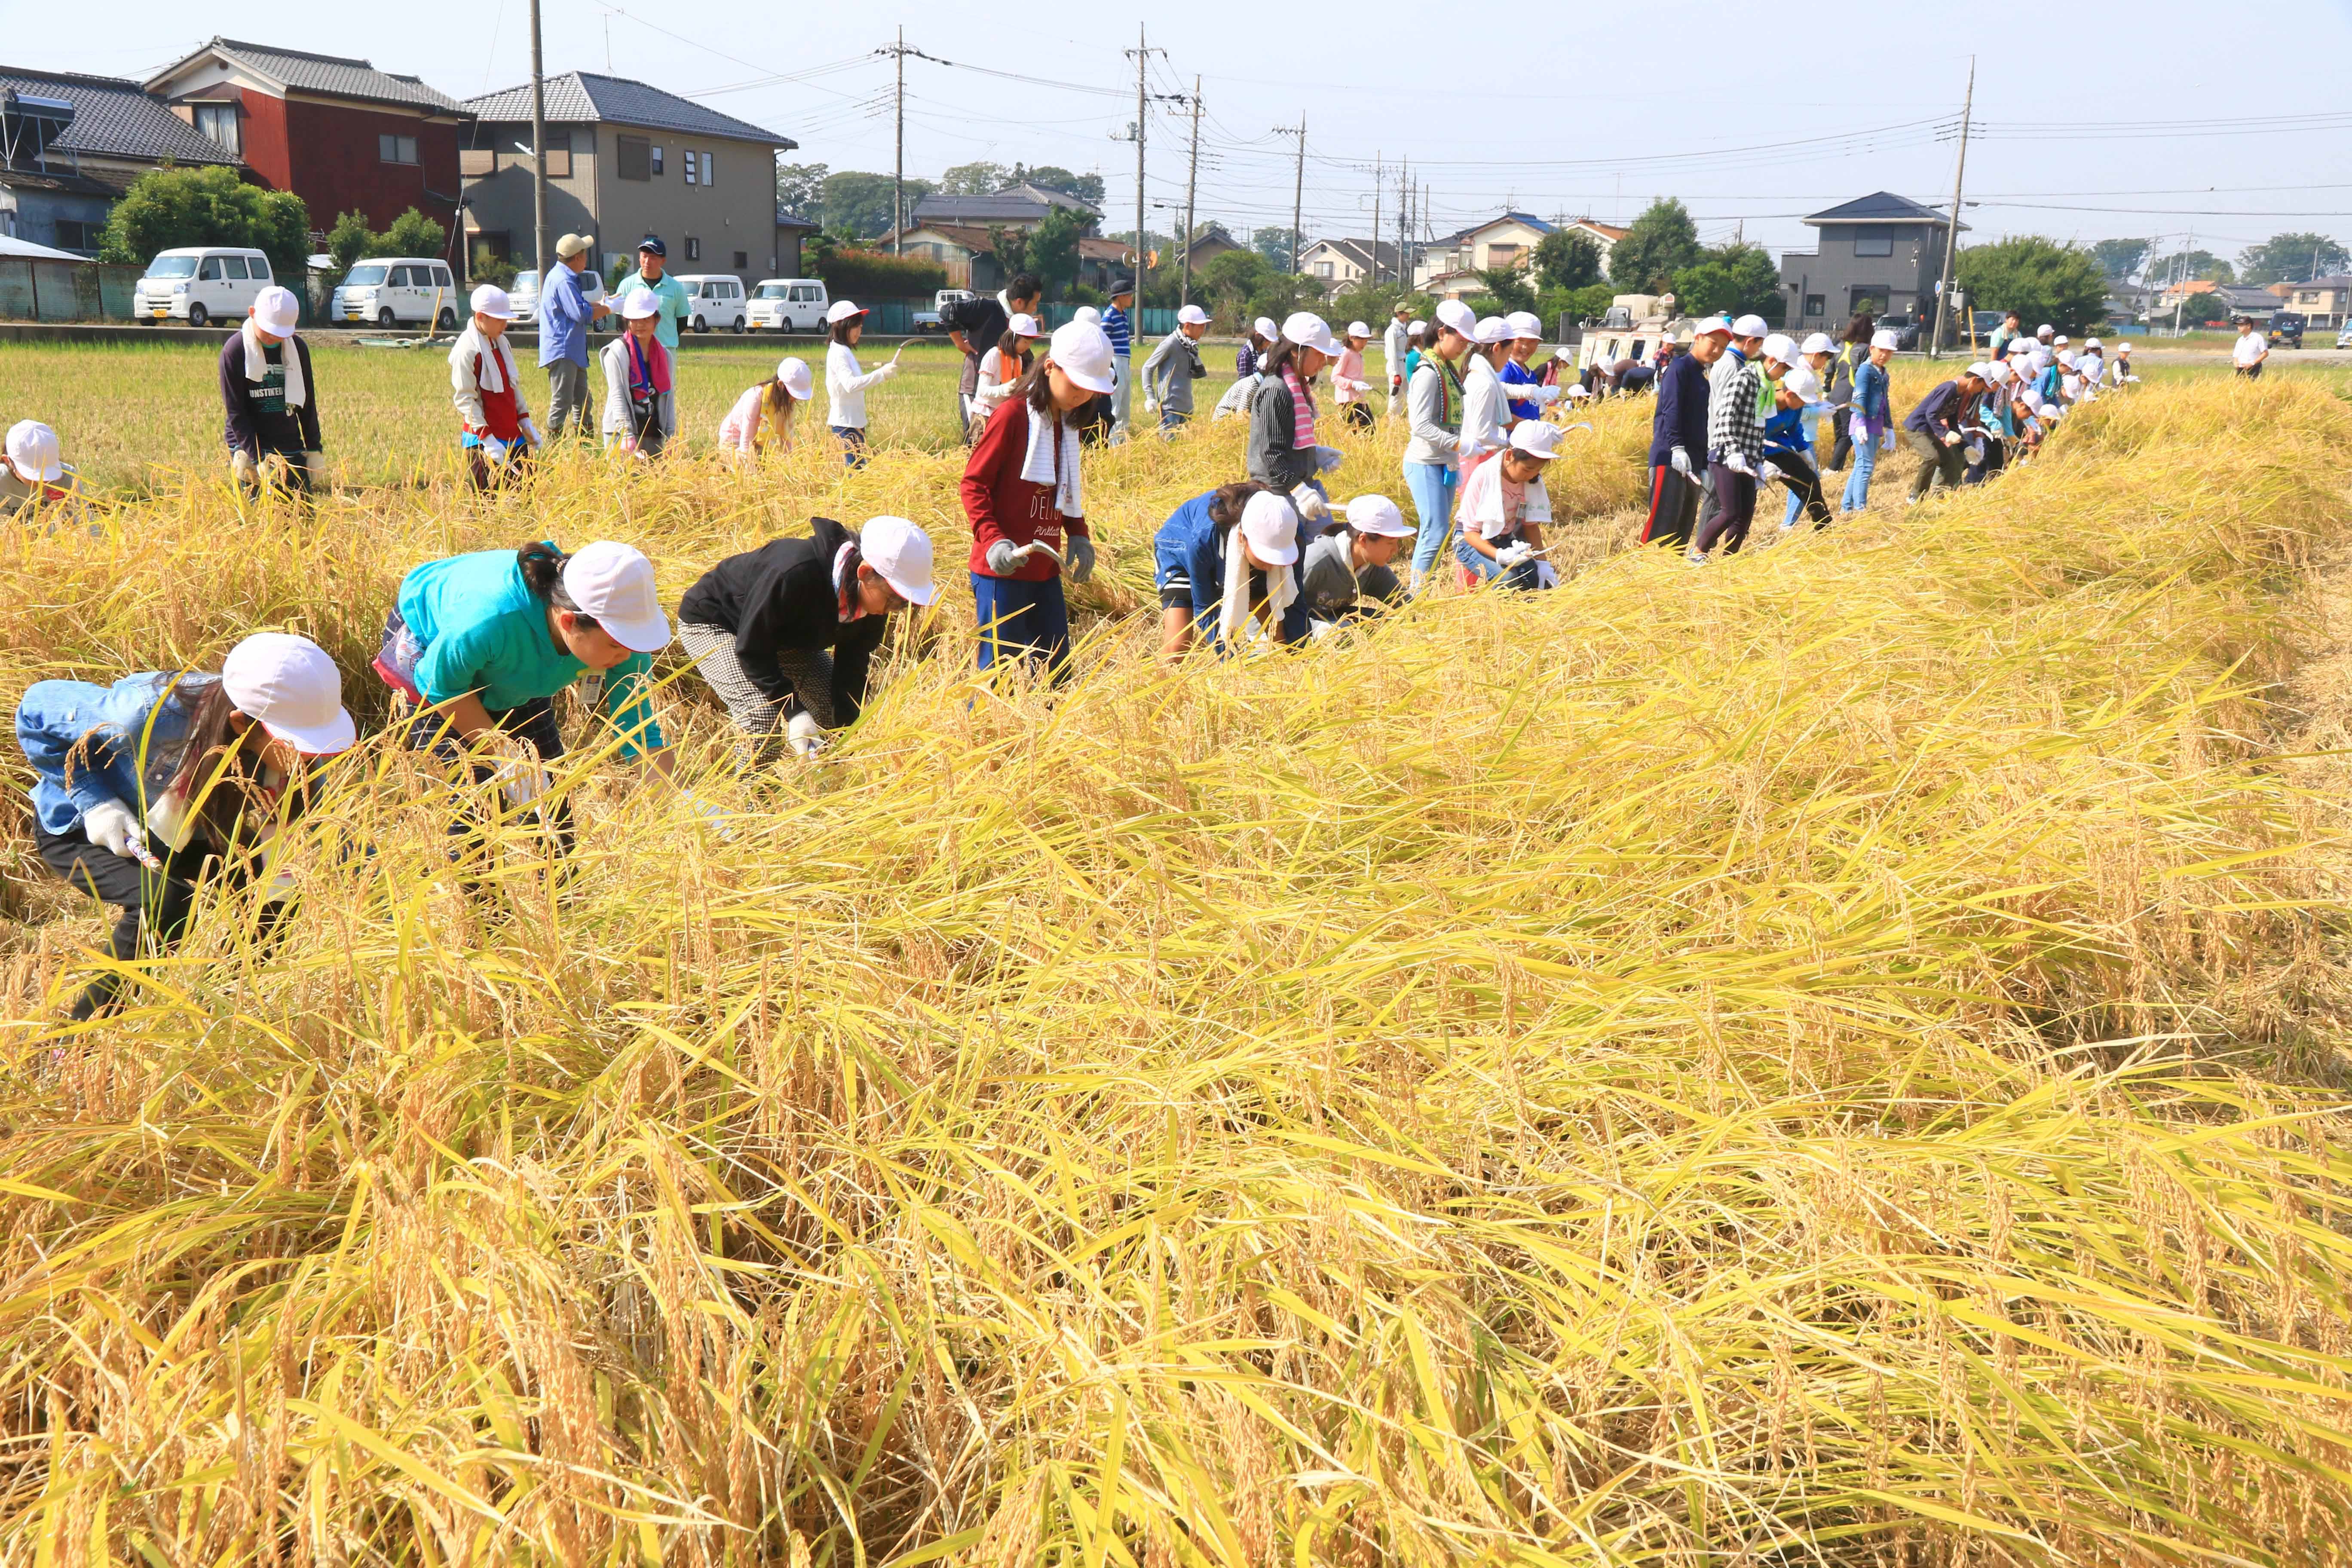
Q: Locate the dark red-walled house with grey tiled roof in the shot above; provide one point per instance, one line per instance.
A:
(338, 133)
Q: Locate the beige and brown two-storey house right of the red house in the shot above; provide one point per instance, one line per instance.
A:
(629, 161)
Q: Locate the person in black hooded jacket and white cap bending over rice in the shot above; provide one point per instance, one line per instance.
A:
(787, 634)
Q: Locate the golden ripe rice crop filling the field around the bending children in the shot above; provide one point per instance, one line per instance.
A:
(1789, 1064)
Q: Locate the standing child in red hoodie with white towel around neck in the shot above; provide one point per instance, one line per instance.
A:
(1027, 509)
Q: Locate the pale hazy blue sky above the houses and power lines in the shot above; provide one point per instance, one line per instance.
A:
(2090, 121)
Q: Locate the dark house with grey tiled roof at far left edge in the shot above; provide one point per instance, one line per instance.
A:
(72, 145)
